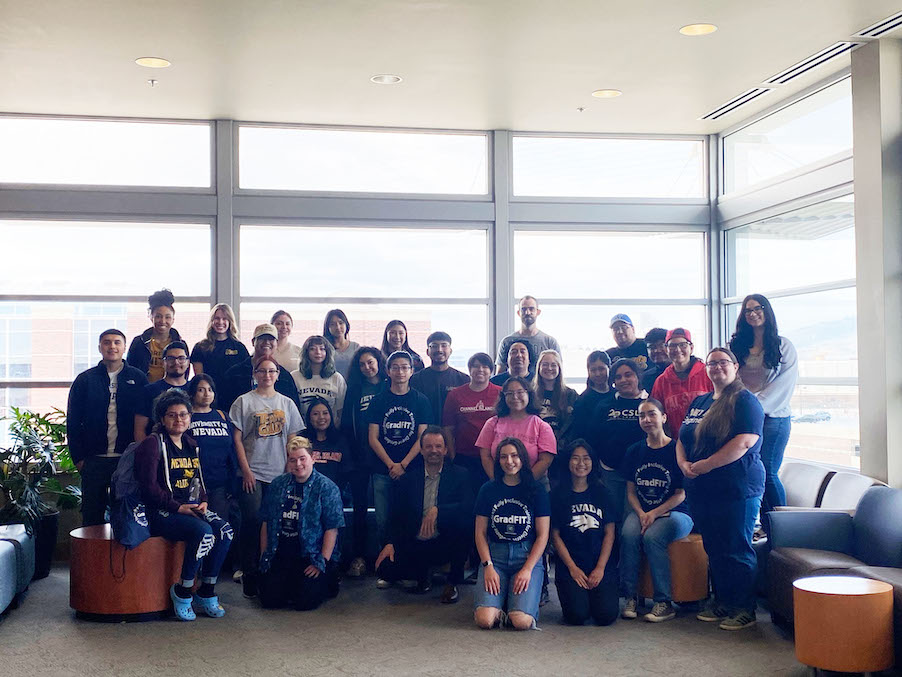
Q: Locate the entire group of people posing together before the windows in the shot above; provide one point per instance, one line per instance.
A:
(504, 467)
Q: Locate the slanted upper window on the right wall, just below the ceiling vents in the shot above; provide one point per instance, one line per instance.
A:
(811, 130)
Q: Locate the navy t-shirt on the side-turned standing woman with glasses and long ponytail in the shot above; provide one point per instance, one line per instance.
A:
(743, 478)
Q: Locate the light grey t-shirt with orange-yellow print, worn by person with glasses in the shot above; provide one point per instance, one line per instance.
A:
(265, 424)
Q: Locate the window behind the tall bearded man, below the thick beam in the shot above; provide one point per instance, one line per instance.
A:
(594, 266)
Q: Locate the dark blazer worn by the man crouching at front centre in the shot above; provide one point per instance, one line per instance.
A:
(454, 501)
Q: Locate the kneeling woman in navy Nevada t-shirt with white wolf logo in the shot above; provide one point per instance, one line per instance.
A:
(582, 532)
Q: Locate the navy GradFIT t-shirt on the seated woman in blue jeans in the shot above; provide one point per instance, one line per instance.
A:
(655, 474)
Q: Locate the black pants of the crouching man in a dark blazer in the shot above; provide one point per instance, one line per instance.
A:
(413, 558)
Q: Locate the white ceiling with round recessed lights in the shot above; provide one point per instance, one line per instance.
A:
(467, 64)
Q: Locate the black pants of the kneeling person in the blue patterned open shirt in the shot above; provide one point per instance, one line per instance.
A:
(285, 584)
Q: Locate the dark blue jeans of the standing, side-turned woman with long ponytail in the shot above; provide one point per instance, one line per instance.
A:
(726, 526)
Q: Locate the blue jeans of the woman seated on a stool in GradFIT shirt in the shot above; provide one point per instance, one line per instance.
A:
(662, 532)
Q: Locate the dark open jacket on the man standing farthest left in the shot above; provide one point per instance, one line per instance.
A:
(89, 398)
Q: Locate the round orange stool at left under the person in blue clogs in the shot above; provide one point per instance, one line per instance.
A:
(111, 584)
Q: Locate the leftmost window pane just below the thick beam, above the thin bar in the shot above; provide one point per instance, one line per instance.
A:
(104, 258)
